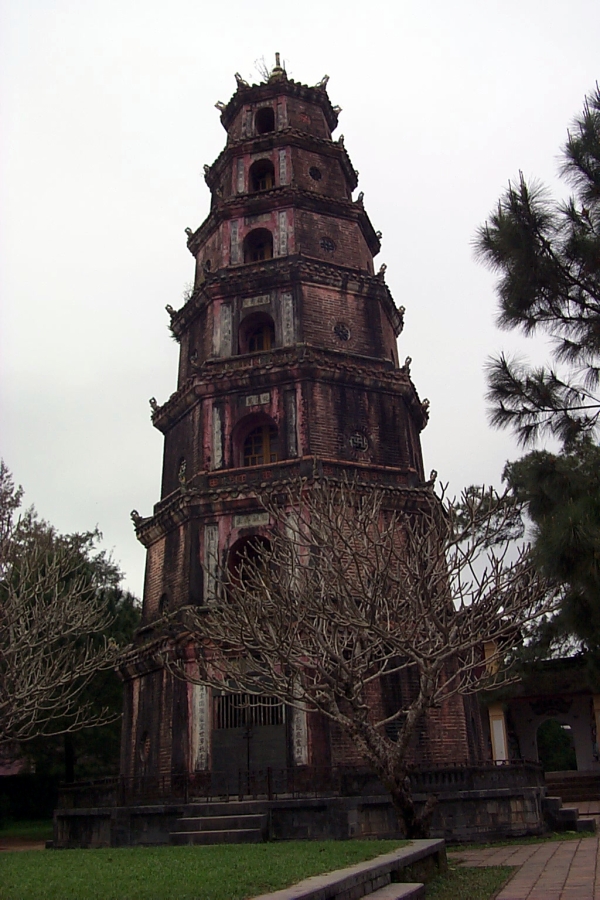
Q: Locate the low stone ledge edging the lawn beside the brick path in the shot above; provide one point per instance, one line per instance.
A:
(363, 878)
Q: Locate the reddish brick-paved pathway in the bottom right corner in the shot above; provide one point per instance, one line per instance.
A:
(556, 870)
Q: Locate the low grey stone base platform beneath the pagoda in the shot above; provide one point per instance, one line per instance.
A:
(459, 816)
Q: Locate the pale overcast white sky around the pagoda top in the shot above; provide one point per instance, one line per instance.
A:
(108, 116)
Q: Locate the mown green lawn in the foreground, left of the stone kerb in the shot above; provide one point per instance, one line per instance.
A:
(222, 872)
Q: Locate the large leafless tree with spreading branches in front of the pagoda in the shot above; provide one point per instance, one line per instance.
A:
(352, 585)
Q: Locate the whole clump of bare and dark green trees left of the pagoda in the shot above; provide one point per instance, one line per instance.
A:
(63, 617)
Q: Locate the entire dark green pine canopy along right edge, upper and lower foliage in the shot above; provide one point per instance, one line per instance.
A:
(548, 256)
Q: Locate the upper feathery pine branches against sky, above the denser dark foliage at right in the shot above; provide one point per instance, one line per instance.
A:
(548, 257)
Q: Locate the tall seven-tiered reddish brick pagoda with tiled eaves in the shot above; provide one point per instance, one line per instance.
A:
(288, 364)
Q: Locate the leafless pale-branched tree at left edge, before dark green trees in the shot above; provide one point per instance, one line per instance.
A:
(52, 616)
